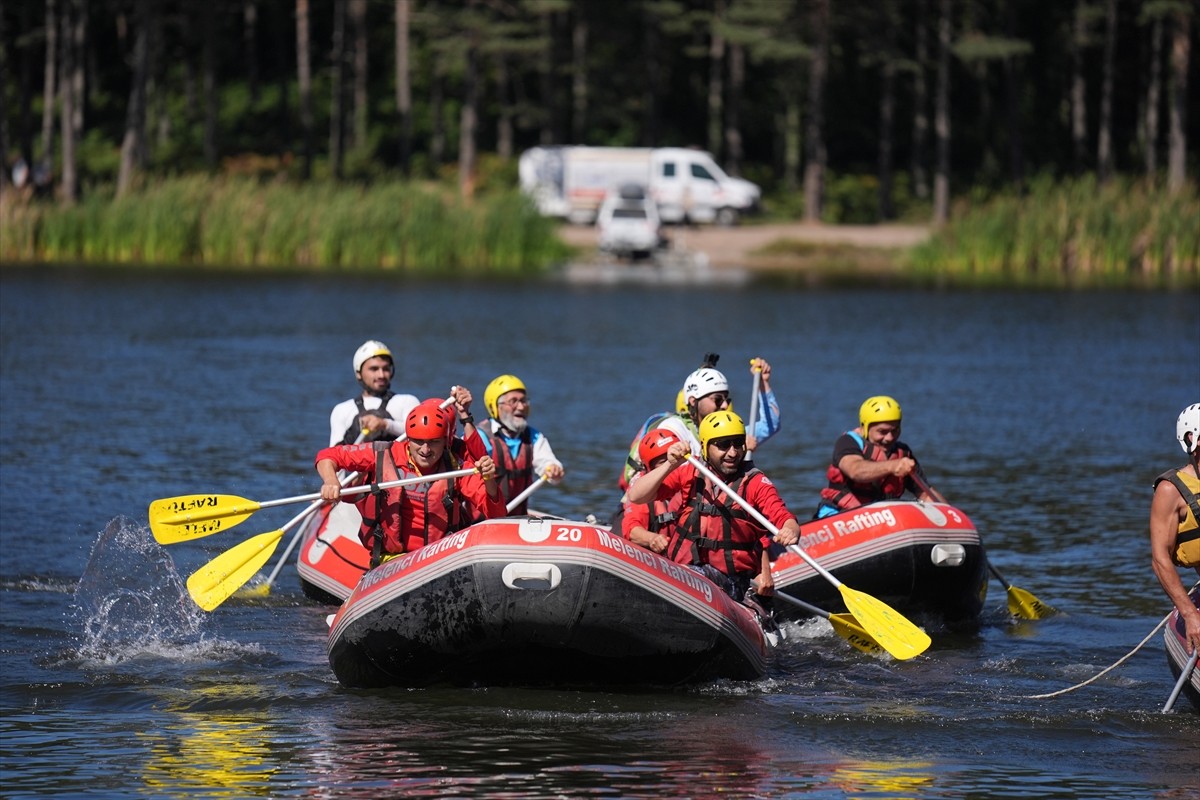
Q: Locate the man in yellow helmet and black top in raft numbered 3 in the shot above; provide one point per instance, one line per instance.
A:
(872, 465)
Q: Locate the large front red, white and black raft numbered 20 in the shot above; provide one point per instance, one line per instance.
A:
(541, 603)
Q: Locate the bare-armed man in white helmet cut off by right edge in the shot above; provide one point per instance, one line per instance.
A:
(1175, 524)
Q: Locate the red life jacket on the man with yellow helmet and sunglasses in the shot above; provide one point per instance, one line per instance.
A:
(719, 534)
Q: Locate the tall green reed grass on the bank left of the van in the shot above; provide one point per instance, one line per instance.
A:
(242, 222)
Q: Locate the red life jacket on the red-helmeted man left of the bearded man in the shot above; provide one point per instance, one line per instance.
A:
(410, 518)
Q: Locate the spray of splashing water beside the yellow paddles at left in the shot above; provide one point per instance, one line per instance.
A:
(131, 600)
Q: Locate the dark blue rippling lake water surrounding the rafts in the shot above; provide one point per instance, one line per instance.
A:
(1045, 417)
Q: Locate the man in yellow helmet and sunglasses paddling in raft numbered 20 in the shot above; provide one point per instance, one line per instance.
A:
(713, 533)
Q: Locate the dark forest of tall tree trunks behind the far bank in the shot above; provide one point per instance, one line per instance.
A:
(843, 111)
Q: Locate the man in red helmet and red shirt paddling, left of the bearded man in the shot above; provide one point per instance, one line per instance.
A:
(406, 519)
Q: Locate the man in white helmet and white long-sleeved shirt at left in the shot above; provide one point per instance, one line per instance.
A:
(377, 414)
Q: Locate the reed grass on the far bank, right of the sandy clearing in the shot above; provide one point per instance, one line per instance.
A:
(1070, 234)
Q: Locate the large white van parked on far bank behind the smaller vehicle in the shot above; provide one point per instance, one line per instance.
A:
(687, 185)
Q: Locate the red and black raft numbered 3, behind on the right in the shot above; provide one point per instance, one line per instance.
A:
(916, 557)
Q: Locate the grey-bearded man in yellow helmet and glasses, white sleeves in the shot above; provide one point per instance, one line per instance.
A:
(523, 454)
